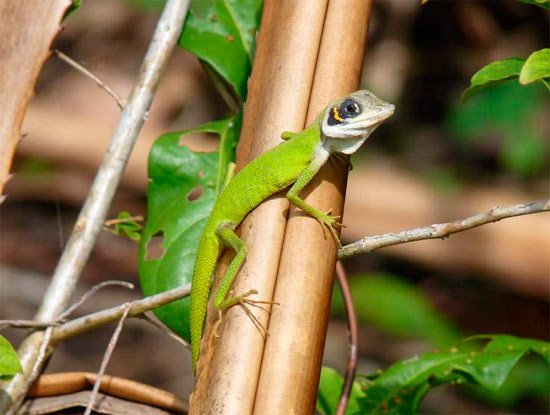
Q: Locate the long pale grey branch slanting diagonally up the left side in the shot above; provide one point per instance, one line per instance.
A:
(90, 221)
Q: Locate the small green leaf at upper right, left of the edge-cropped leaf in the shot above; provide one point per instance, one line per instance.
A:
(494, 73)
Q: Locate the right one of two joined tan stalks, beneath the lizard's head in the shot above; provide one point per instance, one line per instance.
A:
(292, 358)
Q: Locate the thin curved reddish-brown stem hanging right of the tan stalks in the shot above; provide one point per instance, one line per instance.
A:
(353, 329)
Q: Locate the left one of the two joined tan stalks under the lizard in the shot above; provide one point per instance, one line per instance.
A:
(279, 89)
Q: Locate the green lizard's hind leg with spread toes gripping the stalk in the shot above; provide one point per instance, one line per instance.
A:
(224, 297)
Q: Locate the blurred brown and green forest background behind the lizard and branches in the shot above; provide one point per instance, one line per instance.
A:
(437, 160)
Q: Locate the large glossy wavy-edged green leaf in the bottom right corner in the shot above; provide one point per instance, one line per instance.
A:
(401, 388)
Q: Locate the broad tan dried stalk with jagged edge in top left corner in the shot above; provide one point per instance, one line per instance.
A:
(24, 48)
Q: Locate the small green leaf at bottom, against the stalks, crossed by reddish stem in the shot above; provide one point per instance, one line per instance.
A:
(330, 387)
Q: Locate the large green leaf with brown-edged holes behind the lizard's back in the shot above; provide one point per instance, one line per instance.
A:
(180, 196)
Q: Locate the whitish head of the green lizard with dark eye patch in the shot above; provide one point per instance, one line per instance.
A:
(348, 122)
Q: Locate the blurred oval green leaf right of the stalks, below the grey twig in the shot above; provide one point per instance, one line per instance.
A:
(398, 307)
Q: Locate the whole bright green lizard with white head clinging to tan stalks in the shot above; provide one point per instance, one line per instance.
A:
(340, 129)
